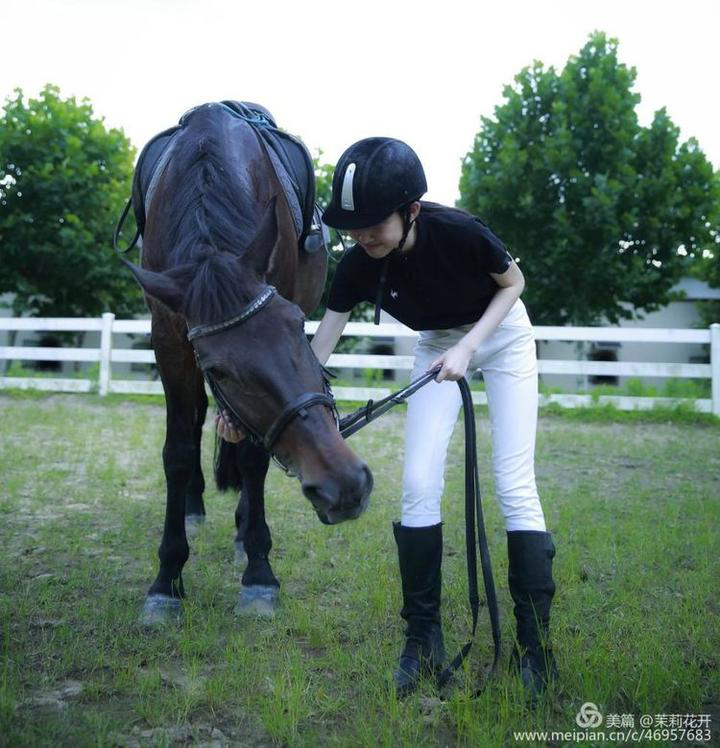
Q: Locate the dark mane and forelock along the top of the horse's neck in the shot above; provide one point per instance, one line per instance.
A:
(212, 223)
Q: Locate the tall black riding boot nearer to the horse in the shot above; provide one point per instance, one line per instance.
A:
(420, 556)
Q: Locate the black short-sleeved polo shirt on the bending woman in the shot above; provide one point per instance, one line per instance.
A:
(442, 282)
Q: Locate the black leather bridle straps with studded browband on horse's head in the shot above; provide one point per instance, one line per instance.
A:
(298, 407)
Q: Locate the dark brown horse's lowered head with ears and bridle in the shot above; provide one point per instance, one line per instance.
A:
(251, 346)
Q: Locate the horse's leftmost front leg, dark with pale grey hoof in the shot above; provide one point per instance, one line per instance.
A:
(163, 601)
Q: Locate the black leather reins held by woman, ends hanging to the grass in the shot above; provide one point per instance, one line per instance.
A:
(474, 521)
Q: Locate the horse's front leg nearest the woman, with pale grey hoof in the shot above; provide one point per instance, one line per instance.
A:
(260, 588)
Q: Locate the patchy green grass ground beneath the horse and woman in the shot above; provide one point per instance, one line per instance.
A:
(634, 511)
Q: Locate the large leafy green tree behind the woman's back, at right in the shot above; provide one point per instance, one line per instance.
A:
(603, 214)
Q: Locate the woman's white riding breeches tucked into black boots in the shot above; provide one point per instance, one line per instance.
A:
(509, 366)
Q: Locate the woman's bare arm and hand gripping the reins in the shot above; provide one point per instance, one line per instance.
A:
(456, 359)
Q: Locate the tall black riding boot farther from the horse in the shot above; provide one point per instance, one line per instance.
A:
(530, 555)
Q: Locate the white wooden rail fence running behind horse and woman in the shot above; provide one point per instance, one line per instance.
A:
(106, 355)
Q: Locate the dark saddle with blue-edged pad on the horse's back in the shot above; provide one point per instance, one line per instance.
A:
(290, 159)
